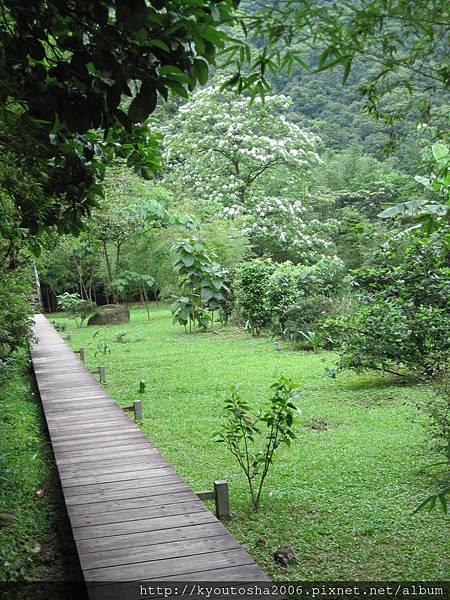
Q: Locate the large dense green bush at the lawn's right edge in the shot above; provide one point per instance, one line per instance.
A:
(401, 321)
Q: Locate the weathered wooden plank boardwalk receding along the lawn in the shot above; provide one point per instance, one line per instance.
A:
(133, 517)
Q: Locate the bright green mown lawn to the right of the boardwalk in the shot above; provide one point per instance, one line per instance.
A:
(342, 495)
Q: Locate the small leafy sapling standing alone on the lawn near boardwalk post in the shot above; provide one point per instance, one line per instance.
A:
(241, 430)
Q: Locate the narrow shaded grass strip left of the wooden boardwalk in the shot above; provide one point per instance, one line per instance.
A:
(35, 539)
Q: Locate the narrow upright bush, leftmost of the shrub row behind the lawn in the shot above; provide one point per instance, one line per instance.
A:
(252, 281)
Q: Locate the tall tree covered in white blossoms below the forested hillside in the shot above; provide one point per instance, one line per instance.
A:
(246, 160)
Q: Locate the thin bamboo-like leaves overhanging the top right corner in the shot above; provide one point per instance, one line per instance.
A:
(404, 45)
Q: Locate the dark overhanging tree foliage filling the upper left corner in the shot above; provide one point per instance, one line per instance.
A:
(66, 68)
